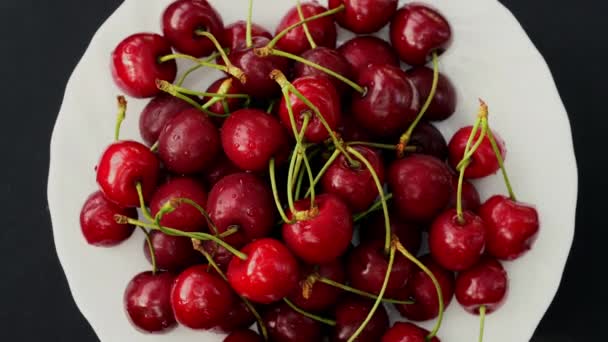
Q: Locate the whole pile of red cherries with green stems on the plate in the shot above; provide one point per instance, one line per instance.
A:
(252, 193)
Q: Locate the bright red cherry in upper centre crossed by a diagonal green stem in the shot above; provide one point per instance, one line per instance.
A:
(322, 94)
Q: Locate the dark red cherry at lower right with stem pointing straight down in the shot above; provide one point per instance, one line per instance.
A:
(485, 284)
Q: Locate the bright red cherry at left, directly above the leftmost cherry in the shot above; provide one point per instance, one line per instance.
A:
(124, 164)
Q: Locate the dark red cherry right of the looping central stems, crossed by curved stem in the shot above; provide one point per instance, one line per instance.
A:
(355, 186)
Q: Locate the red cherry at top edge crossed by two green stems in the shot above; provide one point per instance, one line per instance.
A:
(323, 30)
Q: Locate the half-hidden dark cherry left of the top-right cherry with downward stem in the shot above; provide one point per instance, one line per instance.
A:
(362, 51)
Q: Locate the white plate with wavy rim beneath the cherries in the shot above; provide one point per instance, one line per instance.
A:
(491, 58)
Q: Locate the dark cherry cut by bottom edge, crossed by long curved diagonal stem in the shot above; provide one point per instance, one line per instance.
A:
(350, 313)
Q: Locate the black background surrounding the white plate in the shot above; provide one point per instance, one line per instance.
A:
(42, 41)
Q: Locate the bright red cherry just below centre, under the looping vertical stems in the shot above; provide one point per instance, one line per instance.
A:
(324, 235)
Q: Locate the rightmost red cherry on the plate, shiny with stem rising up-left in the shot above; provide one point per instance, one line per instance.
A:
(511, 227)
